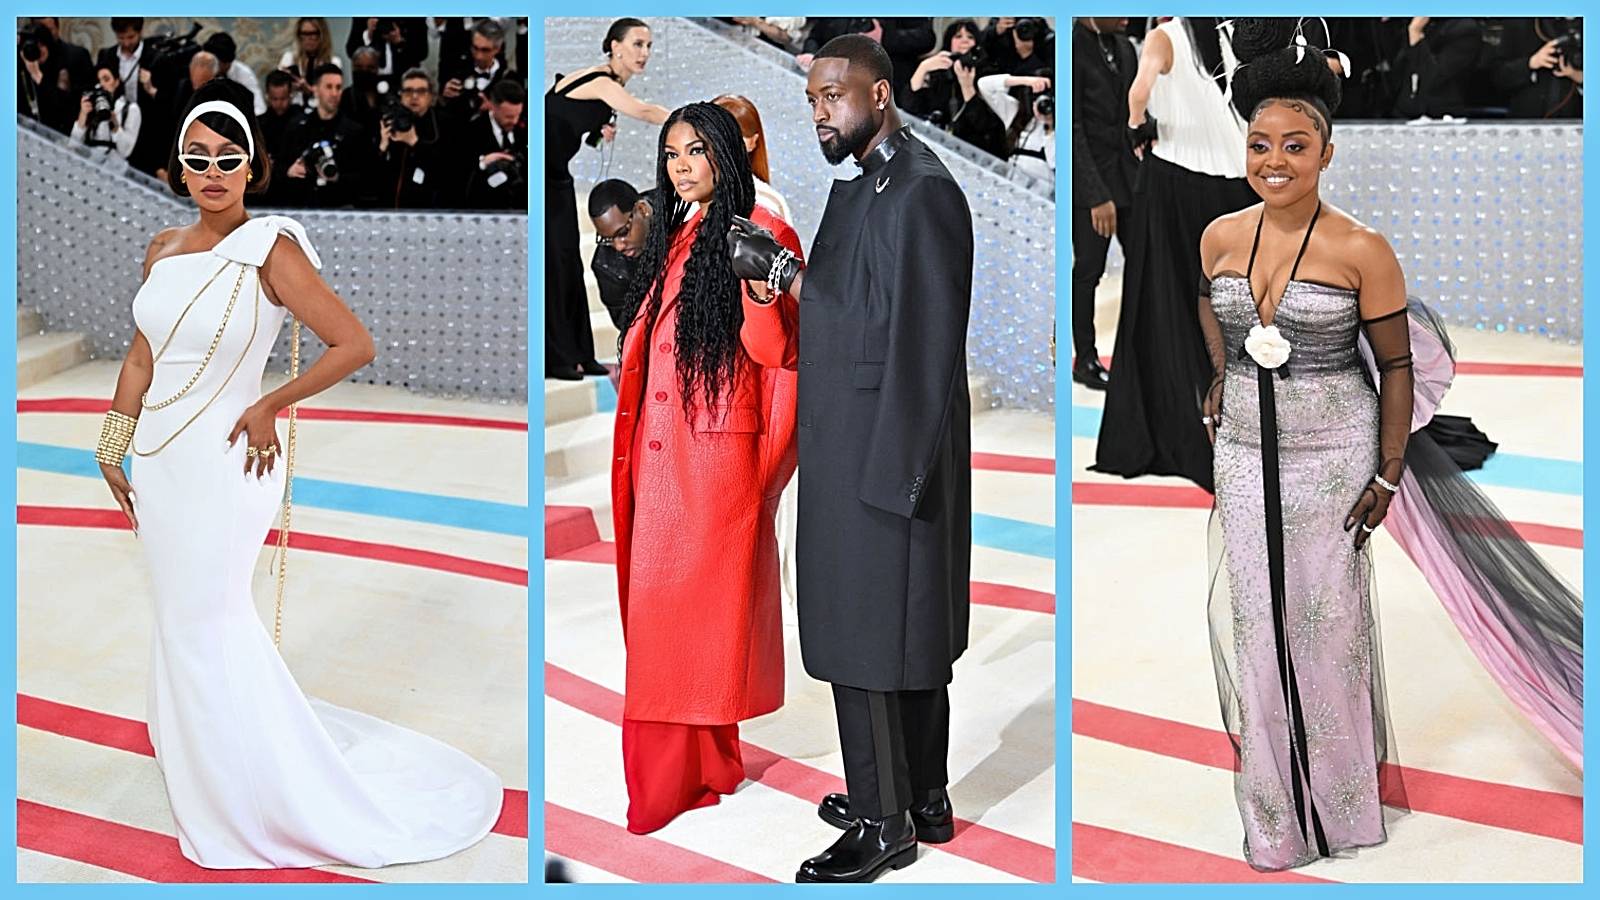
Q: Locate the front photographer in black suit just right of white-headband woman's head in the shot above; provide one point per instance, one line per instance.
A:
(326, 153)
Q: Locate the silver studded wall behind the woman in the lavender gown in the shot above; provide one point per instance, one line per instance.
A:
(1486, 219)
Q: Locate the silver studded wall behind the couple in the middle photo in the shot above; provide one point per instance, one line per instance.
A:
(1015, 222)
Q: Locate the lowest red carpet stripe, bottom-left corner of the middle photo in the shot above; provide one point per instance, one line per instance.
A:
(636, 858)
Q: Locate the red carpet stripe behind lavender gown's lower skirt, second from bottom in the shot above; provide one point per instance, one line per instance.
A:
(1546, 814)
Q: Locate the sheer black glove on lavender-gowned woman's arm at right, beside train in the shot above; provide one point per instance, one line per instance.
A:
(1391, 339)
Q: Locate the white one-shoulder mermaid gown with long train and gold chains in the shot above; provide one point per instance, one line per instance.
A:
(258, 774)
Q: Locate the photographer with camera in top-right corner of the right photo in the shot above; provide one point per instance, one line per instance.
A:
(1540, 68)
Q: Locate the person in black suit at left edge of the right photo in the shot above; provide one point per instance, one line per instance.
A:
(1103, 172)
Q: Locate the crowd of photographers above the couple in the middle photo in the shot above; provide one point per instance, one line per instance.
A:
(991, 86)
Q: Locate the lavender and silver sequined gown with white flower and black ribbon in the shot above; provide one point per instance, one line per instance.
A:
(1327, 438)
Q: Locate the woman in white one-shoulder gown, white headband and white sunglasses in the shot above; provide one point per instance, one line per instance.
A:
(258, 774)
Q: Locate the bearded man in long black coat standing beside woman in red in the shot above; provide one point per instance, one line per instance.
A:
(886, 456)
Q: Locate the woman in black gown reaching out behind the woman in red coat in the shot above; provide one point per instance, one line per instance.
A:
(580, 110)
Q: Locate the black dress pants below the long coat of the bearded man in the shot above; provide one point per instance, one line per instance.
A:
(895, 747)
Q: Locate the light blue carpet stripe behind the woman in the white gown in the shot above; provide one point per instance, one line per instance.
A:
(431, 508)
